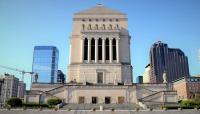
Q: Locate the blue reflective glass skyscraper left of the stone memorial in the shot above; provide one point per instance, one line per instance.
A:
(45, 63)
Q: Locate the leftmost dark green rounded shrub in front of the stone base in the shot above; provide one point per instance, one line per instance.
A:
(14, 102)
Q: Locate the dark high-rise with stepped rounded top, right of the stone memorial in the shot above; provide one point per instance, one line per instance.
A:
(171, 60)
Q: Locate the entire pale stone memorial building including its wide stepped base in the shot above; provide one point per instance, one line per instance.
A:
(100, 70)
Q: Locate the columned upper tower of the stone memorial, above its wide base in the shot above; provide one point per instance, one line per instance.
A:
(100, 47)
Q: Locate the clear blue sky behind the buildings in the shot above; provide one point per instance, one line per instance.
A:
(26, 23)
